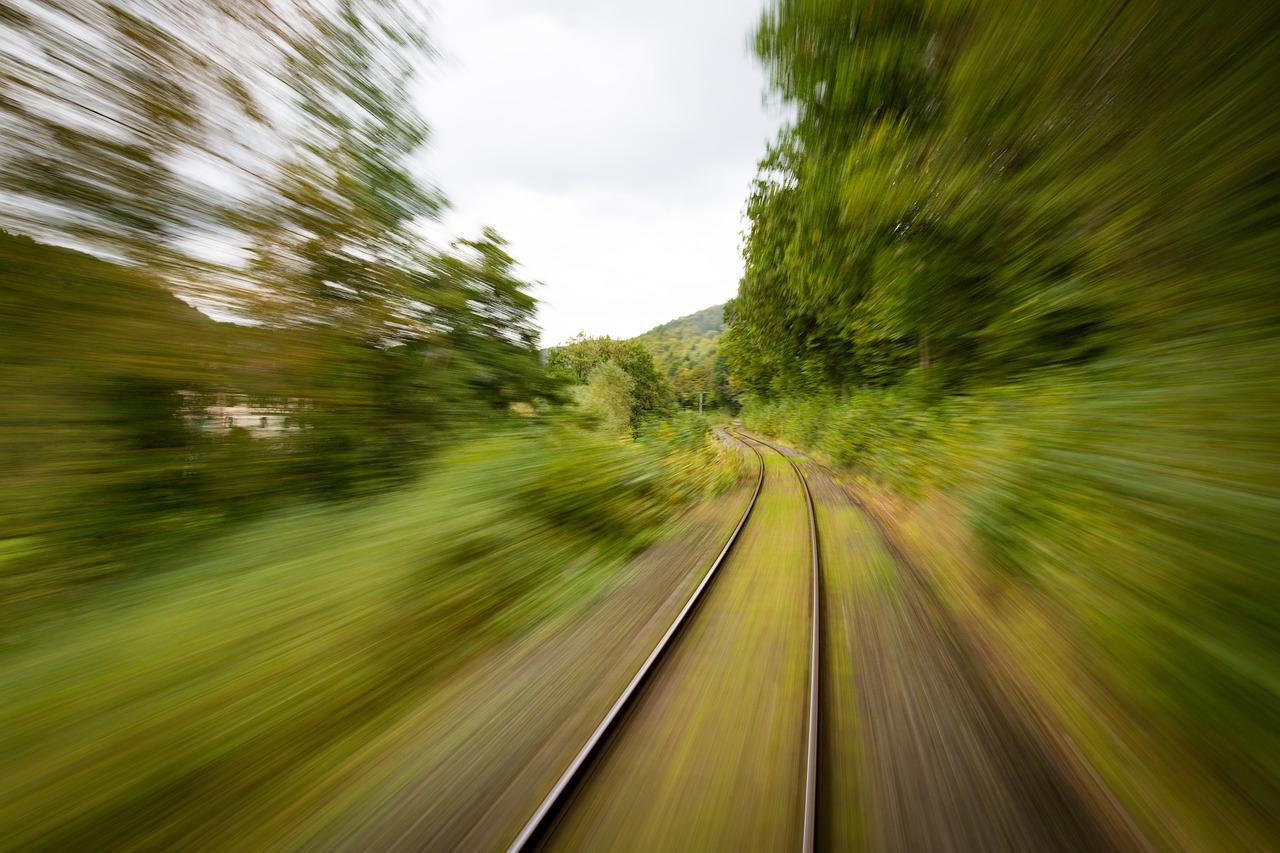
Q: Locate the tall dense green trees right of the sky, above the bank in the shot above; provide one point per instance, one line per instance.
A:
(976, 193)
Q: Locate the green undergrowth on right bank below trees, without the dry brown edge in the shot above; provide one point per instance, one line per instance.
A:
(1121, 492)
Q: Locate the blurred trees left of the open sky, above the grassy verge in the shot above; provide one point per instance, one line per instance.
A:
(254, 162)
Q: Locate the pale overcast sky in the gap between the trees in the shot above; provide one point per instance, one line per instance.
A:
(611, 143)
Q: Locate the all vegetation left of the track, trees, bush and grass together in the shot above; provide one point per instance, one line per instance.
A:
(298, 517)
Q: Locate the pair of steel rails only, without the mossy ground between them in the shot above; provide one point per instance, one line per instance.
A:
(561, 796)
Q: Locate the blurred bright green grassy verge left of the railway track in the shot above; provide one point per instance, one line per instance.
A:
(254, 664)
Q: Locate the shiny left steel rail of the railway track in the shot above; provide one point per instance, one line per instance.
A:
(541, 820)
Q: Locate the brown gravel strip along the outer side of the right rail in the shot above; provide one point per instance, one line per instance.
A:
(925, 750)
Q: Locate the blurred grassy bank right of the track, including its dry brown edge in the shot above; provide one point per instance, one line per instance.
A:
(1116, 528)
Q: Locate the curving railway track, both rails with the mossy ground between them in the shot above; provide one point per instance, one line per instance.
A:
(648, 735)
